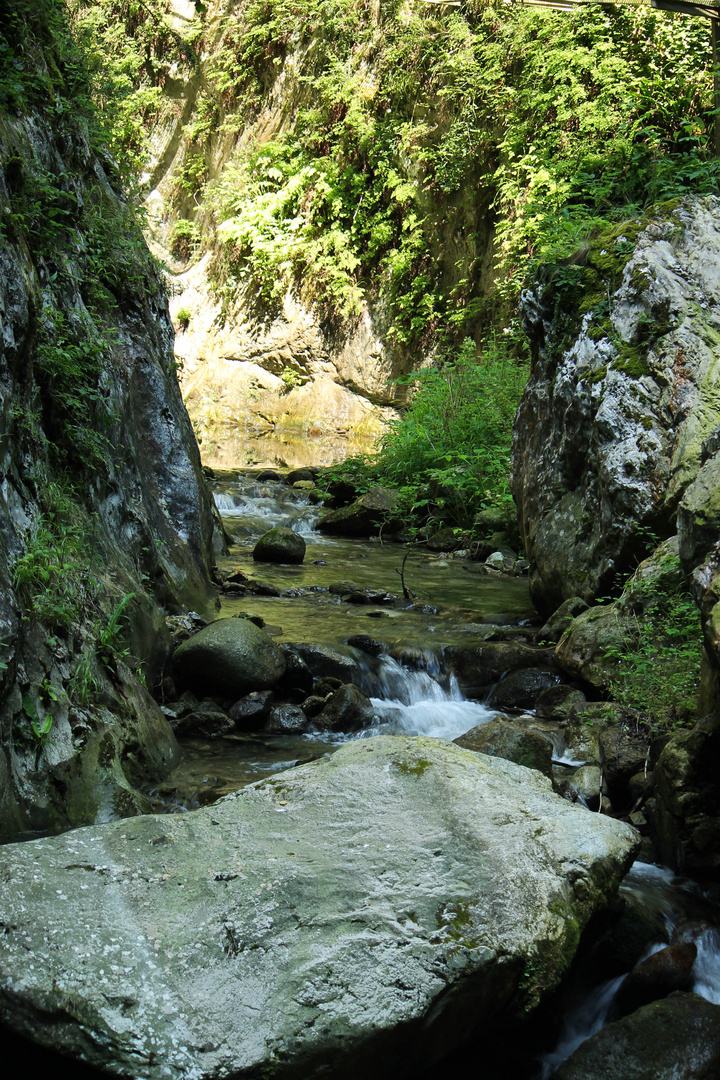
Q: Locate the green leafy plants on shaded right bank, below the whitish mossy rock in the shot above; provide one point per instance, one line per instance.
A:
(659, 671)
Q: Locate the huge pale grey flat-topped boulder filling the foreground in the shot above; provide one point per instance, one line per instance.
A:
(361, 915)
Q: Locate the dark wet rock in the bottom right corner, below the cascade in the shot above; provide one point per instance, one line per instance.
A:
(675, 1039)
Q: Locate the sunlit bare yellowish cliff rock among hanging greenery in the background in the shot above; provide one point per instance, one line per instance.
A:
(233, 361)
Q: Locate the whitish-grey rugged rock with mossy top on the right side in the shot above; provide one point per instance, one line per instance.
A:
(618, 430)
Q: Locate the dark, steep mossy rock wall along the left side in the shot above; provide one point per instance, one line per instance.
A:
(102, 494)
